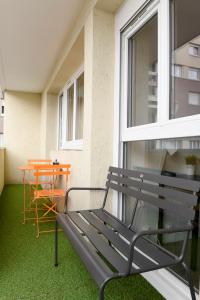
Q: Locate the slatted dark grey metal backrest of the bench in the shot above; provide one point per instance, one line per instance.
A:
(174, 195)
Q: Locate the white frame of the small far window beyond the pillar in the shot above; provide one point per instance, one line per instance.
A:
(64, 144)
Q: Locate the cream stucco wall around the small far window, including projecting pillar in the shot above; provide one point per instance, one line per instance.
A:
(89, 165)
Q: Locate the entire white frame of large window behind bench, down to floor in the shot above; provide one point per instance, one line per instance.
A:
(164, 281)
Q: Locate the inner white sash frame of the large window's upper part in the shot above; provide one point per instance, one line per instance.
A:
(171, 128)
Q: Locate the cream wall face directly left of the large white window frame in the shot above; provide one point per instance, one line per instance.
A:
(102, 98)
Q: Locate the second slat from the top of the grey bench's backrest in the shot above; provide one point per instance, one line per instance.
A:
(171, 194)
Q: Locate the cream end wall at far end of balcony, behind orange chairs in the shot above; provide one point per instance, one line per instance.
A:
(22, 131)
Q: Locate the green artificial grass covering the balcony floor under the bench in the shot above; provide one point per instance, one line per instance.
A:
(26, 263)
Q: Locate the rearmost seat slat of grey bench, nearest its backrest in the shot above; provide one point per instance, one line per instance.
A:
(143, 244)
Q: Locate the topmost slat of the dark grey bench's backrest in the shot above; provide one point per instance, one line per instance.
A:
(190, 185)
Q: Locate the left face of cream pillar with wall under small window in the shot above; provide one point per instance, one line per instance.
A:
(80, 160)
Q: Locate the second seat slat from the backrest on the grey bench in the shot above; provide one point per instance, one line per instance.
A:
(140, 260)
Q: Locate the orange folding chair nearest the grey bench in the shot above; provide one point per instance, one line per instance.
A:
(48, 197)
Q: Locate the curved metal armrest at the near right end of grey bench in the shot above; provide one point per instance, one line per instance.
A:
(143, 233)
